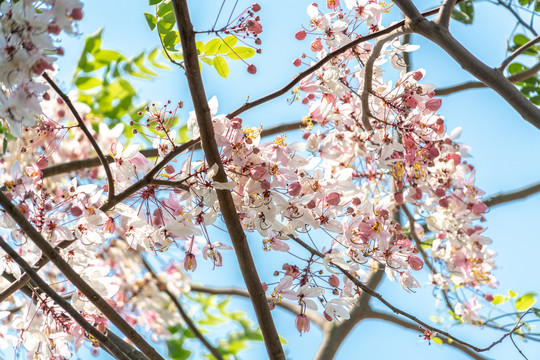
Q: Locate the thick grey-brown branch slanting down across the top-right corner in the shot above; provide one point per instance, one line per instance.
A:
(491, 77)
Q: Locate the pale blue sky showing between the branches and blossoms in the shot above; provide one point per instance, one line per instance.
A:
(504, 149)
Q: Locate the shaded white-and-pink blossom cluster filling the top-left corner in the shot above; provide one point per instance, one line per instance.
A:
(26, 51)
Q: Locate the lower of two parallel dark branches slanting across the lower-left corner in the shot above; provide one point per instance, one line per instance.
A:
(102, 338)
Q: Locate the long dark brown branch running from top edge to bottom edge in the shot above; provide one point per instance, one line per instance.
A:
(226, 203)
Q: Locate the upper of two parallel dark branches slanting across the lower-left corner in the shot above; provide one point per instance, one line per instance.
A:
(76, 279)
